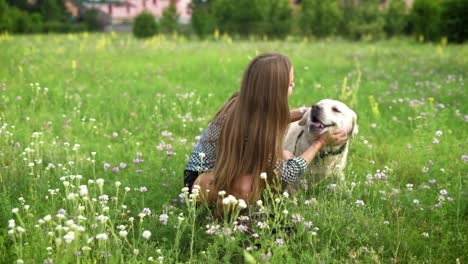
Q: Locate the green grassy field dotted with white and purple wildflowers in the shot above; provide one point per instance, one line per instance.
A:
(95, 131)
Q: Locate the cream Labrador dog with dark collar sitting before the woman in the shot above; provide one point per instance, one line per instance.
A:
(326, 115)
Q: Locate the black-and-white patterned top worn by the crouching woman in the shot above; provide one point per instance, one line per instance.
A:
(292, 169)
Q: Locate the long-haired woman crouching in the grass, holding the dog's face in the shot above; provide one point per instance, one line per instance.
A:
(245, 138)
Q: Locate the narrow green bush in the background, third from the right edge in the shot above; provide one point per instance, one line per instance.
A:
(396, 18)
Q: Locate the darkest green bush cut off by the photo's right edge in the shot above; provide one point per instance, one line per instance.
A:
(454, 19)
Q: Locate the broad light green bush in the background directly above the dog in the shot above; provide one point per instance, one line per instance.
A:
(320, 18)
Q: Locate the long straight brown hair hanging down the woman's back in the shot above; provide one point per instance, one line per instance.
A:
(254, 123)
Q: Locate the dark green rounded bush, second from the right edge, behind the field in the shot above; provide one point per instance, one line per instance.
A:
(425, 19)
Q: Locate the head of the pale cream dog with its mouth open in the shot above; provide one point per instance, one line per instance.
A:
(329, 115)
